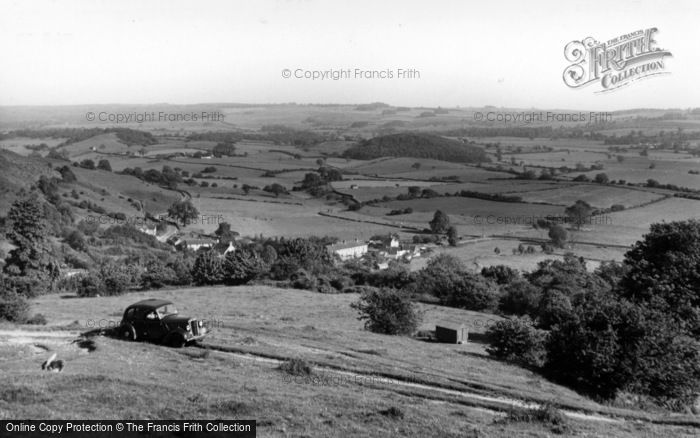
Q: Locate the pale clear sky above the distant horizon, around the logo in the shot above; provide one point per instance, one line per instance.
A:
(466, 53)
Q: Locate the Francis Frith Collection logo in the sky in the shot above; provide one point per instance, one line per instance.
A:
(614, 63)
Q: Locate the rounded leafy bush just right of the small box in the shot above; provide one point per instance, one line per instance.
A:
(517, 340)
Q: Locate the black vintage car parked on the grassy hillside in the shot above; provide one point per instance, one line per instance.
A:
(158, 321)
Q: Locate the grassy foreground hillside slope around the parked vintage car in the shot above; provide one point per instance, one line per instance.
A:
(321, 329)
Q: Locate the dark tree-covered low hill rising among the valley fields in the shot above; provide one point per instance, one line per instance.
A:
(416, 145)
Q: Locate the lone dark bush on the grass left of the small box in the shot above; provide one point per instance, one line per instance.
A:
(387, 311)
